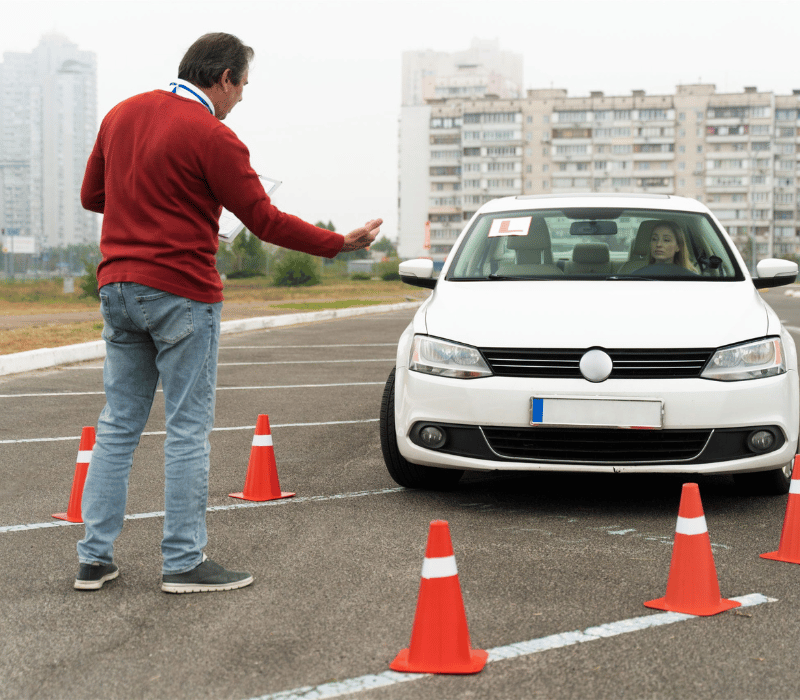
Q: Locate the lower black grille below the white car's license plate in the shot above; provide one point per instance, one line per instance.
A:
(596, 445)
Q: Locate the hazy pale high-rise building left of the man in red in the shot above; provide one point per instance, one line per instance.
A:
(48, 123)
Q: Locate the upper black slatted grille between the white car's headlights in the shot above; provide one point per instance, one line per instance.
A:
(627, 364)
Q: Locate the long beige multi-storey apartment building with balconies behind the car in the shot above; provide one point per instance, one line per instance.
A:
(737, 153)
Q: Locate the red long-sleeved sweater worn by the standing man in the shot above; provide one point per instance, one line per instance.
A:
(161, 170)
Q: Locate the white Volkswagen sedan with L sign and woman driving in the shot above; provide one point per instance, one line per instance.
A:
(603, 333)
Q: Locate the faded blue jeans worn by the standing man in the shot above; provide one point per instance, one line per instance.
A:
(152, 335)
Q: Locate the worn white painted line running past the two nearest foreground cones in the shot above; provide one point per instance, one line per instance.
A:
(556, 641)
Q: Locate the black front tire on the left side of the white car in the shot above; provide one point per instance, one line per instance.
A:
(405, 473)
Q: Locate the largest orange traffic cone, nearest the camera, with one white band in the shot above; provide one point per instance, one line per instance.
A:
(440, 638)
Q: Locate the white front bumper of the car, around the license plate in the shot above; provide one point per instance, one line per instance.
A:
(705, 425)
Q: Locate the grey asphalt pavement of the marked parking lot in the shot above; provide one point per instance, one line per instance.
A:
(553, 568)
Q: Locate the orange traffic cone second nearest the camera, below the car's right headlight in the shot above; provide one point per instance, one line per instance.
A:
(692, 587)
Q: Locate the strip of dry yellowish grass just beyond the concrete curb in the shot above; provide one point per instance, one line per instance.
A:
(44, 302)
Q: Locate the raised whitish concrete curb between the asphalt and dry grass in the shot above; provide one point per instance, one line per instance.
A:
(51, 357)
